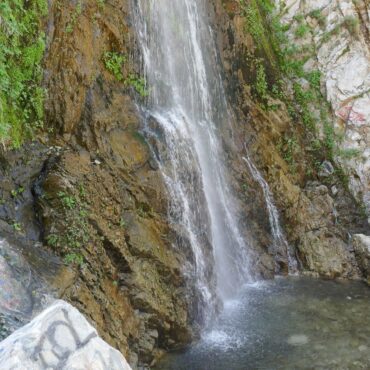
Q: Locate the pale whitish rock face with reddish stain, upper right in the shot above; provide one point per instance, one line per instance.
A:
(339, 34)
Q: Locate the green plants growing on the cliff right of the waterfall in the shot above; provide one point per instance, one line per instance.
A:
(283, 70)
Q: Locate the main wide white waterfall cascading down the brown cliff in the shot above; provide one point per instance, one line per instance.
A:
(184, 115)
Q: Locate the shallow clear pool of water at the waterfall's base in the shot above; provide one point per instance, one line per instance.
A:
(289, 323)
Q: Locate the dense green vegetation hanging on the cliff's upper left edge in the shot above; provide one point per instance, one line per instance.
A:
(22, 45)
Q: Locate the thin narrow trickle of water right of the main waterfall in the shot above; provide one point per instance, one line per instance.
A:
(279, 239)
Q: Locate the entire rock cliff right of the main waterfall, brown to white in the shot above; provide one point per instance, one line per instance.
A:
(288, 119)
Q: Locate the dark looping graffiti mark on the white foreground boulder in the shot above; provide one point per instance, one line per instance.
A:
(60, 352)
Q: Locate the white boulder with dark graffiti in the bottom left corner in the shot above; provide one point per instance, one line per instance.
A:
(59, 338)
